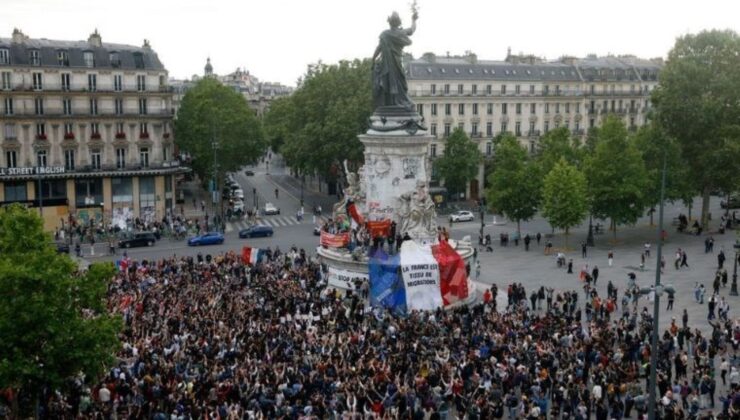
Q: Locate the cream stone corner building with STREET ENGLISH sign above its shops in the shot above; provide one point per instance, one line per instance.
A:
(86, 130)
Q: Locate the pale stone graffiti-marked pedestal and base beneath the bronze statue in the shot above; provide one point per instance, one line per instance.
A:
(394, 182)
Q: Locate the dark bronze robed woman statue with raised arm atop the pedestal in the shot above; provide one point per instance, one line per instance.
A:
(390, 90)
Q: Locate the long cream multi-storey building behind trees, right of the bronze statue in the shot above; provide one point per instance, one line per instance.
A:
(526, 96)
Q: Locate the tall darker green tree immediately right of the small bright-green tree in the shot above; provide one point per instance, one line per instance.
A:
(616, 176)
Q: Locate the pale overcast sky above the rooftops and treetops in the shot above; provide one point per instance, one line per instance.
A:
(276, 39)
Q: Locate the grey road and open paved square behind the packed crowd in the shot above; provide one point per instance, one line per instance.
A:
(505, 264)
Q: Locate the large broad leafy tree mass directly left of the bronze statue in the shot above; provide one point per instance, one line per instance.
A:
(319, 123)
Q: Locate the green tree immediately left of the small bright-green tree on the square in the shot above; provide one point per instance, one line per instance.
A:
(515, 185)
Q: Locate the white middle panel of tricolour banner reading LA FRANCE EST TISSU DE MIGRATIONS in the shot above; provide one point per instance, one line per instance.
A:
(420, 272)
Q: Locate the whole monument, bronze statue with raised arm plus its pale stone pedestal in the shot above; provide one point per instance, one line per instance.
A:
(393, 183)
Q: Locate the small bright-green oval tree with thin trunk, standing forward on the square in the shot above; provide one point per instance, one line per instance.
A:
(564, 197)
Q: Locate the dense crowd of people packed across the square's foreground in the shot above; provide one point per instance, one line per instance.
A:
(210, 337)
